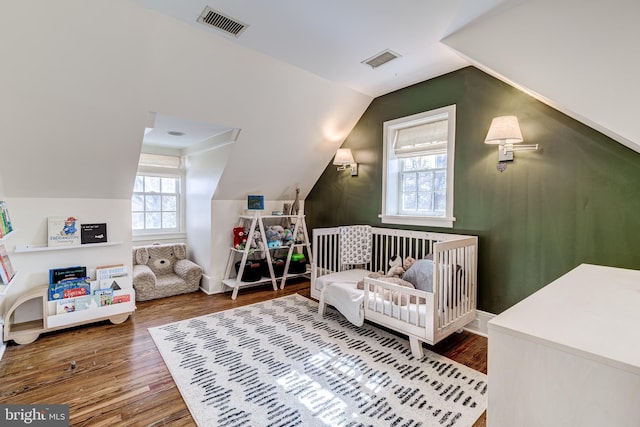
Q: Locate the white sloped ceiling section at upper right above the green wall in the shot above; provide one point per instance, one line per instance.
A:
(580, 57)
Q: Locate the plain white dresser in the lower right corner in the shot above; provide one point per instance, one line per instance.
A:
(569, 355)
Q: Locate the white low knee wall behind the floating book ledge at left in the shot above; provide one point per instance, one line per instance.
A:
(29, 218)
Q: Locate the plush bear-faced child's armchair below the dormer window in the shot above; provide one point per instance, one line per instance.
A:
(162, 270)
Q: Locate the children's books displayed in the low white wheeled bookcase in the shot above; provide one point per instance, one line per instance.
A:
(73, 290)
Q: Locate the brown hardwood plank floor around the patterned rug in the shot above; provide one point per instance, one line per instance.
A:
(120, 378)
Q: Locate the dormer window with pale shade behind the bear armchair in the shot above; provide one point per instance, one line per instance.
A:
(156, 202)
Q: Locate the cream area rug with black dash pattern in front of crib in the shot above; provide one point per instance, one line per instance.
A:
(278, 363)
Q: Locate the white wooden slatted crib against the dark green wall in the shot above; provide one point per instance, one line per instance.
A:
(423, 316)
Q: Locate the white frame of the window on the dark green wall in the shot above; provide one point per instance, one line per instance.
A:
(391, 173)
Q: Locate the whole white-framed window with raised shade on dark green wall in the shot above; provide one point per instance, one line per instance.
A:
(418, 169)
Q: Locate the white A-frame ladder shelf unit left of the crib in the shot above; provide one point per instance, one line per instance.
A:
(257, 222)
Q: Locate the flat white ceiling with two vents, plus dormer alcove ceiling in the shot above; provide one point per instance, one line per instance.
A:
(331, 39)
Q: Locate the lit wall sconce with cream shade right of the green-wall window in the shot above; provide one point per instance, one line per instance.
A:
(505, 131)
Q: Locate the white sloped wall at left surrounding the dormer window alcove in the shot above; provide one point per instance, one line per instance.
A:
(79, 79)
